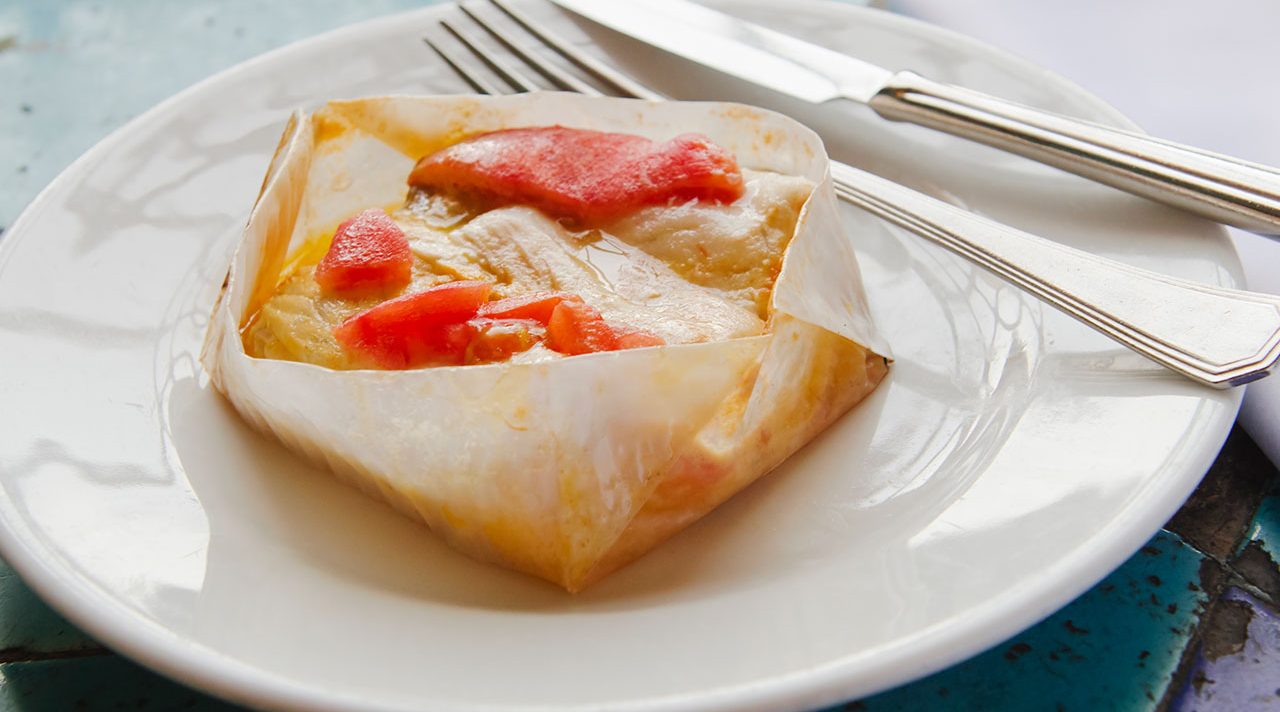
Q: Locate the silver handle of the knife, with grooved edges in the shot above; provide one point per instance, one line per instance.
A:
(1219, 188)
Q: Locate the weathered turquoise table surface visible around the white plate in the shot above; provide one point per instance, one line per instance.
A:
(1190, 623)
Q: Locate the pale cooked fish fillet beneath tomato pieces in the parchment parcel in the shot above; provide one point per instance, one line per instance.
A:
(688, 273)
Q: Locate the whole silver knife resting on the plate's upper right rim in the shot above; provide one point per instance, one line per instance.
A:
(1219, 188)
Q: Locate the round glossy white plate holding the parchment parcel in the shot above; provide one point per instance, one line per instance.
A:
(1009, 463)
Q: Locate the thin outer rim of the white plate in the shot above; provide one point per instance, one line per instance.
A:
(929, 651)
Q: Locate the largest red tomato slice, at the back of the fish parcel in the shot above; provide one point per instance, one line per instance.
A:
(587, 175)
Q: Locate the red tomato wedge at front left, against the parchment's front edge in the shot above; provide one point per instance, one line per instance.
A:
(417, 330)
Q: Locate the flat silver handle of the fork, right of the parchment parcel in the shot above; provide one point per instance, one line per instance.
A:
(1217, 336)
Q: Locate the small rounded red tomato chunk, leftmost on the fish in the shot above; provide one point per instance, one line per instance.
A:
(369, 254)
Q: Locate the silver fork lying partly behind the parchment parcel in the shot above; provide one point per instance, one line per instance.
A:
(1212, 335)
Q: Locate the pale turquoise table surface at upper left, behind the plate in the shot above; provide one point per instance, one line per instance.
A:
(72, 71)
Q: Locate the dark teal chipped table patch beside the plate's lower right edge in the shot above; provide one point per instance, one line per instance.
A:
(1117, 647)
